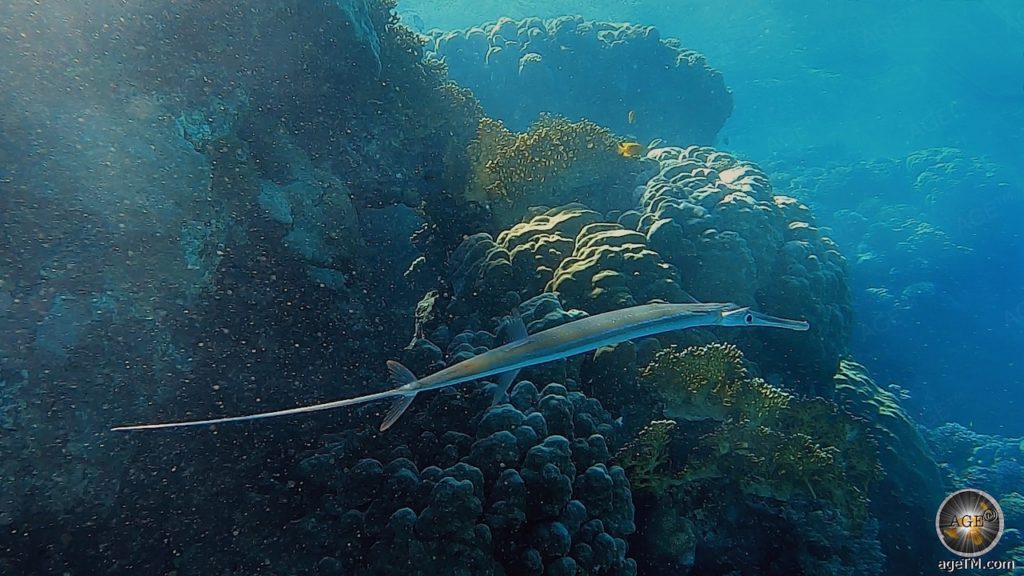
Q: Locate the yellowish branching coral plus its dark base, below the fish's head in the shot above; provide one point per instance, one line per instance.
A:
(742, 448)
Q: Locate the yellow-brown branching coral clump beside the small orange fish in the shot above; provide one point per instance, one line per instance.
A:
(557, 161)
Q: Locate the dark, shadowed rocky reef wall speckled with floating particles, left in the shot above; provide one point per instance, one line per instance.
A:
(191, 200)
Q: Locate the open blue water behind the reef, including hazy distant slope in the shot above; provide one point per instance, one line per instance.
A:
(830, 87)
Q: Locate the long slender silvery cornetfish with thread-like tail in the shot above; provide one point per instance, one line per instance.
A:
(562, 342)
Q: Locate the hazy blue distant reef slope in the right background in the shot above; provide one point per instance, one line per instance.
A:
(920, 232)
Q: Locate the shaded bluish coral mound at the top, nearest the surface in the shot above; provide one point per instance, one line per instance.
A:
(553, 66)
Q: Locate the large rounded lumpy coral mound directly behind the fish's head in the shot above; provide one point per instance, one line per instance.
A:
(718, 221)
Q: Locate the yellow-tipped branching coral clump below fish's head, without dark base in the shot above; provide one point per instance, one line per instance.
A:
(767, 443)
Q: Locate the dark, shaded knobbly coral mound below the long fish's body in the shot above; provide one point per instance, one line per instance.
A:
(522, 488)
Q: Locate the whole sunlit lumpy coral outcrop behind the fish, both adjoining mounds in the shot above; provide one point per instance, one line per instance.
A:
(709, 226)
